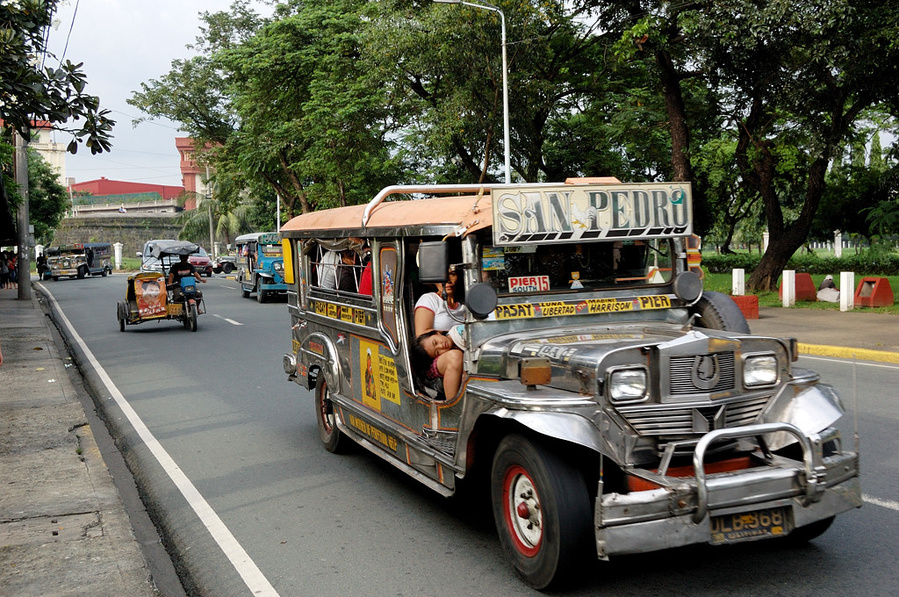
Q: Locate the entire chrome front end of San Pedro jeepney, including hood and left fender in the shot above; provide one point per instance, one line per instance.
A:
(715, 436)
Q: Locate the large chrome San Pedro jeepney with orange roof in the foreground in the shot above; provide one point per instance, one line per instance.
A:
(611, 406)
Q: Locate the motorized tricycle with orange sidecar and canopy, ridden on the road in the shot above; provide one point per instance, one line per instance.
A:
(148, 297)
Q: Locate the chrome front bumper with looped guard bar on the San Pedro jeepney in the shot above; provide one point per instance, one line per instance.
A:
(680, 514)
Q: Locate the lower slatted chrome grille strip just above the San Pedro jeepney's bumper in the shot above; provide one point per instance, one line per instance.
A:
(660, 420)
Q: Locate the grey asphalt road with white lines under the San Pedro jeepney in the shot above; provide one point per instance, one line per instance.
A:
(251, 503)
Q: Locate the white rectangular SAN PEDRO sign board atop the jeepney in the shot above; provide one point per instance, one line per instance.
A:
(568, 213)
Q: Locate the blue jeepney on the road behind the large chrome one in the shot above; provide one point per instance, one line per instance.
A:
(260, 265)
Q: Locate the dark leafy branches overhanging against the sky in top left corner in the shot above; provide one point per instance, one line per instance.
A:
(29, 92)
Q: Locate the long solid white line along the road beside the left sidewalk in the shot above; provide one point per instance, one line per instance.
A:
(249, 572)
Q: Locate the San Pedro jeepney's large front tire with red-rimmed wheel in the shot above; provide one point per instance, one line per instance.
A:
(542, 511)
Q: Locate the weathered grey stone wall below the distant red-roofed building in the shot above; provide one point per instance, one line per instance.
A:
(131, 231)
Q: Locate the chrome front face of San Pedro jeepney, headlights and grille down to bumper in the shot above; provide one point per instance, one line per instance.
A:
(716, 451)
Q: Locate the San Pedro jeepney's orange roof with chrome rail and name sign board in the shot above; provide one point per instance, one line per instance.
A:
(575, 211)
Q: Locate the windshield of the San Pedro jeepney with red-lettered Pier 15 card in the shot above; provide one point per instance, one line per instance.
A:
(545, 268)
